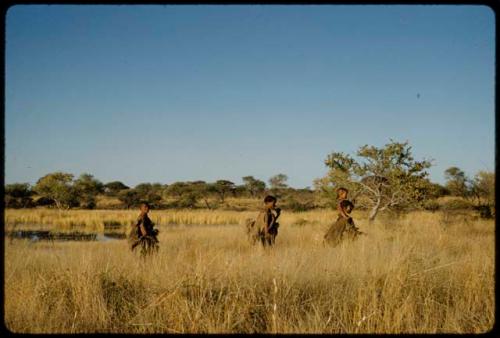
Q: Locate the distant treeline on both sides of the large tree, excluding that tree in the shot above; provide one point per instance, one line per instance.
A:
(62, 190)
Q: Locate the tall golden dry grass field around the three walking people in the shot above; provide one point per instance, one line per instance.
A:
(421, 272)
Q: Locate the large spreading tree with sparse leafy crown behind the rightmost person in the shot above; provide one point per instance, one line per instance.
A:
(382, 178)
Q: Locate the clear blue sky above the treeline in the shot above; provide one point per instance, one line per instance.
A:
(173, 93)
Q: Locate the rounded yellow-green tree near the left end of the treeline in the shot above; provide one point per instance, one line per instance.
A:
(58, 187)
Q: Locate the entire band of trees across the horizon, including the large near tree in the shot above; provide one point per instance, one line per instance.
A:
(378, 178)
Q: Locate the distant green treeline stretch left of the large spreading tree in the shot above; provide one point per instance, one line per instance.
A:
(62, 190)
